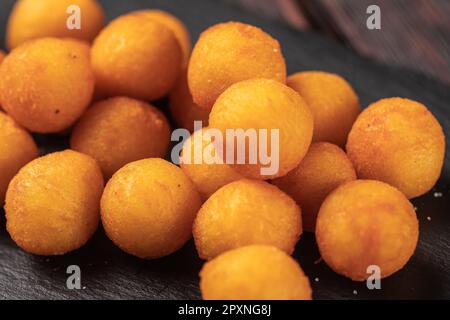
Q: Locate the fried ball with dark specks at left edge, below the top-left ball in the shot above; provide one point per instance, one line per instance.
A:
(46, 84)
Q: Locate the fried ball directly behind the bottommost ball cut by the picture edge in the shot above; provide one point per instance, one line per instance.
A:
(247, 212)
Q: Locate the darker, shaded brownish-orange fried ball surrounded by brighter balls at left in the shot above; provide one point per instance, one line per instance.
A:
(121, 130)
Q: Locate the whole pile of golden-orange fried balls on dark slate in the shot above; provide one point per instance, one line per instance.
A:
(345, 175)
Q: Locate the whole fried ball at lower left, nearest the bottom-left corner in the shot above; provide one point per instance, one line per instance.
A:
(52, 204)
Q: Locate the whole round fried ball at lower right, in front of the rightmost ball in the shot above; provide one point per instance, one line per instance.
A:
(364, 223)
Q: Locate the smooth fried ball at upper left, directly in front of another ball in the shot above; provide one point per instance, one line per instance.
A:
(137, 57)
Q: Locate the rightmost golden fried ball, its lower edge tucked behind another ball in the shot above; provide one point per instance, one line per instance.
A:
(398, 141)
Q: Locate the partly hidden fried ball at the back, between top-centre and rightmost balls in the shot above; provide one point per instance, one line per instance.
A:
(333, 103)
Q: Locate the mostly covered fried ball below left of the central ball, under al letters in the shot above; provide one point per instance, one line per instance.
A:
(207, 176)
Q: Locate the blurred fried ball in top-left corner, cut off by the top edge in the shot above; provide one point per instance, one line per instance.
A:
(32, 19)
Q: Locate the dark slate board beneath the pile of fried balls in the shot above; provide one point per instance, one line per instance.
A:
(109, 273)
